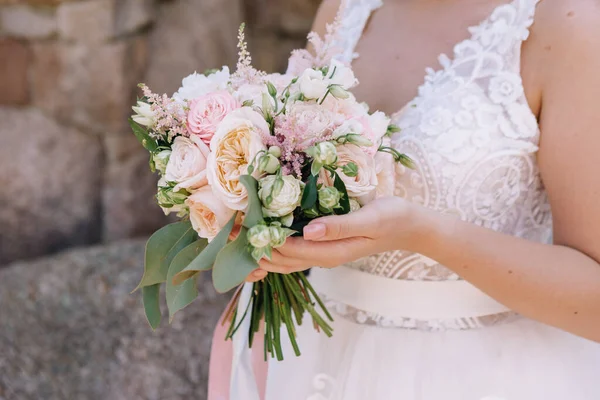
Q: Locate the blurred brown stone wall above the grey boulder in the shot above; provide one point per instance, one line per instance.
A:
(71, 173)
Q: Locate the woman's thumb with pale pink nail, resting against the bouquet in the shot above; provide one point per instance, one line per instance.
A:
(336, 227)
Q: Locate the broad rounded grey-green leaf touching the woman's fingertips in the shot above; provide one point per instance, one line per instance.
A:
(233, 264)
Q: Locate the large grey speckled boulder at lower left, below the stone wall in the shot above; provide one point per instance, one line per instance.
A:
(71, 330)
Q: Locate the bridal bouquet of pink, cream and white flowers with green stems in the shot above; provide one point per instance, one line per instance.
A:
(247, 160)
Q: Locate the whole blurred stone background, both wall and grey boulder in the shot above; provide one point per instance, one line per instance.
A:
(77, 197)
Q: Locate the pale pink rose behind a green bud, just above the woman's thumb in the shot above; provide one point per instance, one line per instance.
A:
(365, 181)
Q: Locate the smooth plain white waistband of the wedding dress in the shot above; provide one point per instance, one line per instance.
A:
(397, 299)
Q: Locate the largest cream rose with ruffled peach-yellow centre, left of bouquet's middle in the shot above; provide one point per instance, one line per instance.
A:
(235, 144)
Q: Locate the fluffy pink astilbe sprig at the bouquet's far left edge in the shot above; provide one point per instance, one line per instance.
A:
(170, 116)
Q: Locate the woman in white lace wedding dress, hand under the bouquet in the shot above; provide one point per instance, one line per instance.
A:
(463, 286)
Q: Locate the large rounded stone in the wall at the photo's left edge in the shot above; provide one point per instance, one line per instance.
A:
(51, 180)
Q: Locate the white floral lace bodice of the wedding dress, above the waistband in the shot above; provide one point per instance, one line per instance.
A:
(471, 134)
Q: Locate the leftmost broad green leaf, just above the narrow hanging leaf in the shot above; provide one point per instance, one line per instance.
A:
(161, 248)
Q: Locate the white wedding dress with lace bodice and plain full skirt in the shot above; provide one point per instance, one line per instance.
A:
(406, 327)
